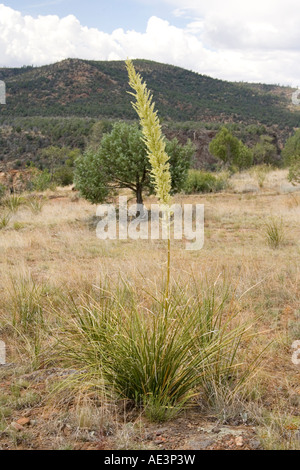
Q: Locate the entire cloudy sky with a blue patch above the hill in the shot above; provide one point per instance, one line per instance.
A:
(252, 41)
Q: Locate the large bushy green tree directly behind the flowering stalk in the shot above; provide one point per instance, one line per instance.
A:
(121, 162)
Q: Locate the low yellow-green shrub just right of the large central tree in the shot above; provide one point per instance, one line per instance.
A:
(204, 182)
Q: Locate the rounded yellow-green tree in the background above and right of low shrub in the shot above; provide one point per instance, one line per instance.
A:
(230, 150)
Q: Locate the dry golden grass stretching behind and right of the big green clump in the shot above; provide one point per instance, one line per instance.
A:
(58, 248)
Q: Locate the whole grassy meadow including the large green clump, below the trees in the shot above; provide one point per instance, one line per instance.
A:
(93, 359)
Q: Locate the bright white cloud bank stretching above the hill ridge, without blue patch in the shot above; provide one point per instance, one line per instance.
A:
(228, 40)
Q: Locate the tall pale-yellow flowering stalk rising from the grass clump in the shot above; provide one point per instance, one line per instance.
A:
(154, 140)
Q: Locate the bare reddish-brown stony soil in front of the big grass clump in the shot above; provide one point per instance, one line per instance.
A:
(44, 427)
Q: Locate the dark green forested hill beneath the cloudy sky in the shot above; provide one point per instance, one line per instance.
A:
(98, 89)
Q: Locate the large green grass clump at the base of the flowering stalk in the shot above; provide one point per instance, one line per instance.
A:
(158, 358)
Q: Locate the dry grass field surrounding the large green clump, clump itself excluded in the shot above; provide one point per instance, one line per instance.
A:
(50, 257)
